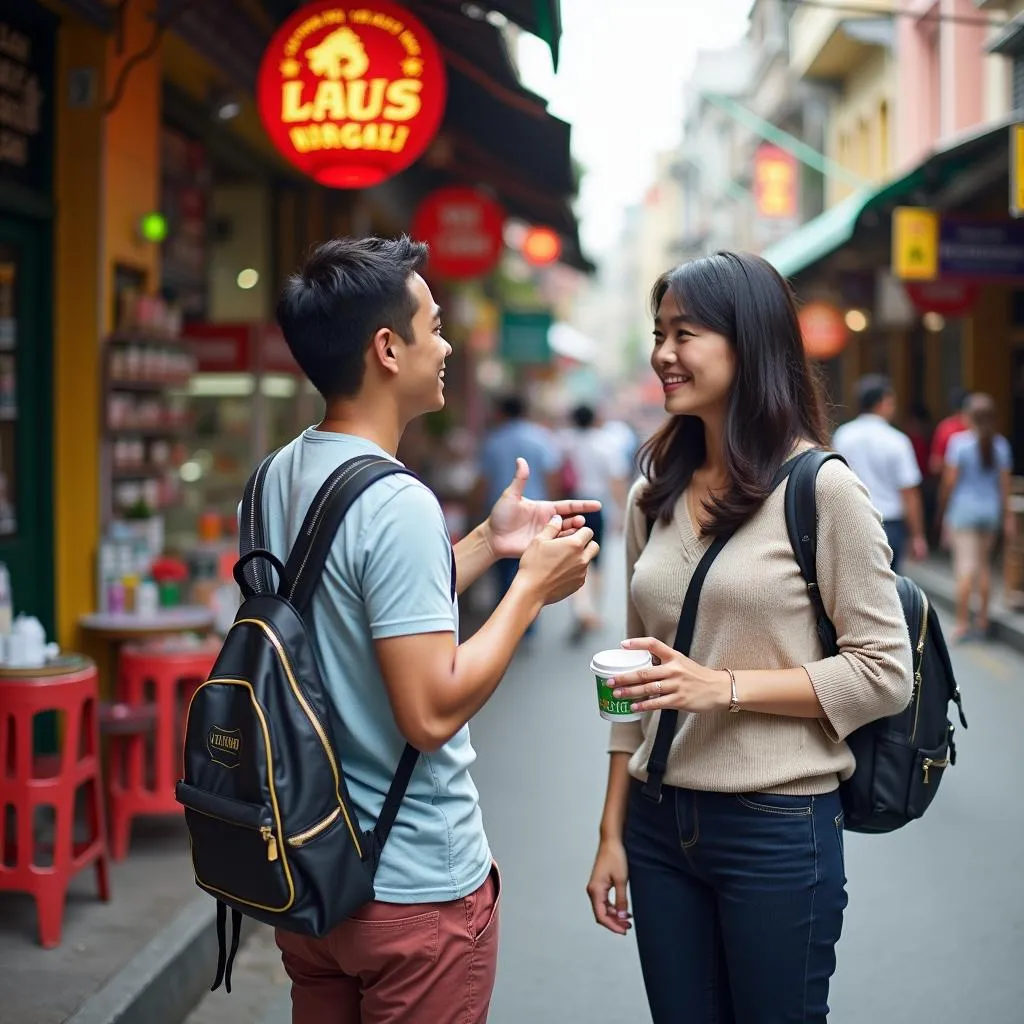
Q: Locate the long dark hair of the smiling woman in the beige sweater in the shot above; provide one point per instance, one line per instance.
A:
(776, 401)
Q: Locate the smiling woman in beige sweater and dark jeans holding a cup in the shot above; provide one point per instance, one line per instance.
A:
(737, 876)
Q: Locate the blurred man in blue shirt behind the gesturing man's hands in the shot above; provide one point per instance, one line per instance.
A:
(516, 438)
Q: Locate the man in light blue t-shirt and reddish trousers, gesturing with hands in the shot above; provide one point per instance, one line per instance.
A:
(363, 325)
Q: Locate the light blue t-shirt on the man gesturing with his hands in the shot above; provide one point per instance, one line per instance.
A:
(390, 575)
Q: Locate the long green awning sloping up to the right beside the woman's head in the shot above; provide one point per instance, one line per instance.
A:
(834, 229)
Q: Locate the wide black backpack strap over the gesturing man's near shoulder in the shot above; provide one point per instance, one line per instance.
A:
(335, 498)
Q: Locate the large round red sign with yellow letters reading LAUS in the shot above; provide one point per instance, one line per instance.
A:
(352, 94)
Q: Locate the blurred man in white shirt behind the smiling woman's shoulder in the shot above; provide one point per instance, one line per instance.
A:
(883, 458)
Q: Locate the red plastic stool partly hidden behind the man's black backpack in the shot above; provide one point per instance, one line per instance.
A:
(144, 769)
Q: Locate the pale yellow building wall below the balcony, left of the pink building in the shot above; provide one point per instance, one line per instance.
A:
(860, 119)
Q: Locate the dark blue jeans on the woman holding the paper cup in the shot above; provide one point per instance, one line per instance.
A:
(738, 904)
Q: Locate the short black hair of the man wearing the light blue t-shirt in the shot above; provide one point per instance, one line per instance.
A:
(347, 292)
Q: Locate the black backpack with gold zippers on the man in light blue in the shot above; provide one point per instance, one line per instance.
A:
(274, 832)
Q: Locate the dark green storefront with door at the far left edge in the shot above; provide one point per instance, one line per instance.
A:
(28, 54)
